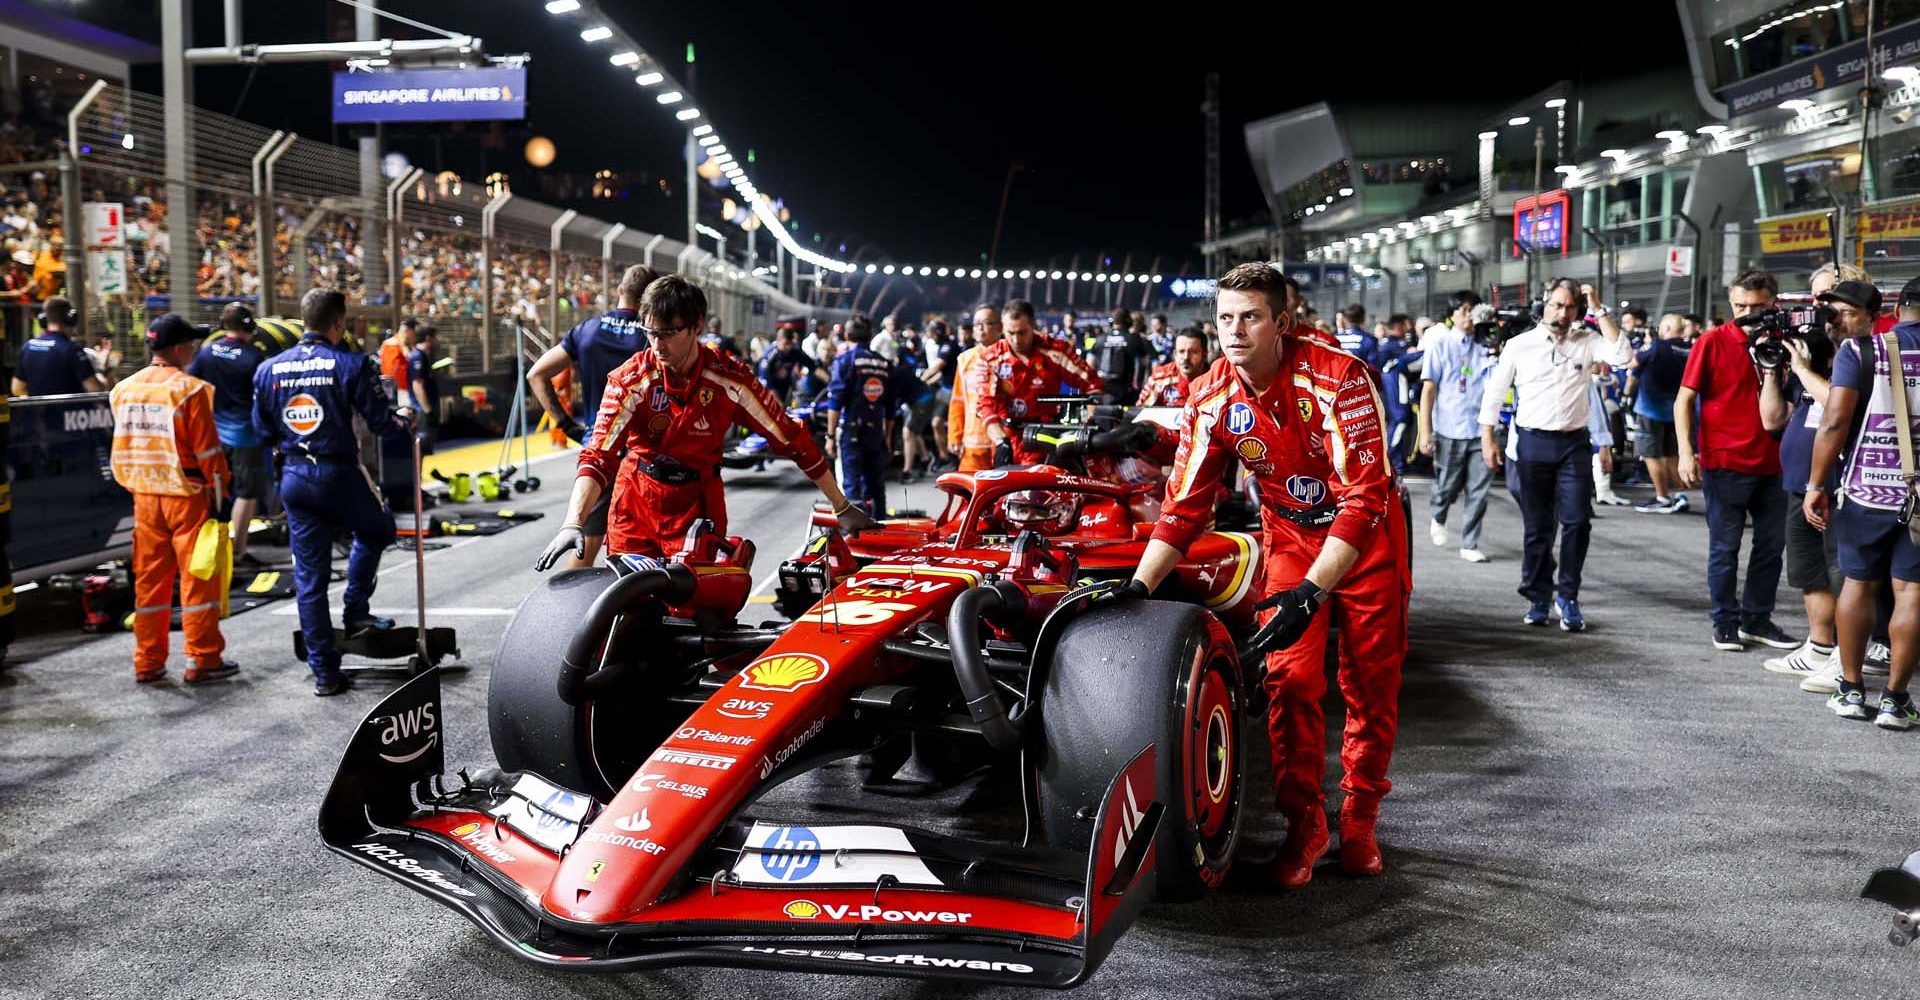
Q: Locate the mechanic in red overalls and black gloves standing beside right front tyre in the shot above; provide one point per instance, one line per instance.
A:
(1305, 419)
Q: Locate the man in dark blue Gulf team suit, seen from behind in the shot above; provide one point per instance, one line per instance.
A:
(304, 404)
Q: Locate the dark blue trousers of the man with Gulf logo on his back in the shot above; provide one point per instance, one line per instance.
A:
(324, 500)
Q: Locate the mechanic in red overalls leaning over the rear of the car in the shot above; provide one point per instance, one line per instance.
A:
(1011, 377)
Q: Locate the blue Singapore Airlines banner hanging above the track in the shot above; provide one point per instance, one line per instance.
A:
(431, 95)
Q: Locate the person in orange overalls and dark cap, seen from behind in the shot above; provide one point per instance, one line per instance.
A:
(168, 456)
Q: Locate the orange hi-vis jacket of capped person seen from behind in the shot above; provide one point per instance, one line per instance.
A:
(164, 431)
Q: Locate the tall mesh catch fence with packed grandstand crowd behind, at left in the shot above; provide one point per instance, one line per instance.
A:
(277, 214)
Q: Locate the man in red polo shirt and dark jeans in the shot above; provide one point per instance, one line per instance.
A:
(1739, 464)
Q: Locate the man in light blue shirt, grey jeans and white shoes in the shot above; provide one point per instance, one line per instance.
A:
(1452, 385)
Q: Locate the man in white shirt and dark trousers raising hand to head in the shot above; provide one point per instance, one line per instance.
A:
(1554, 454)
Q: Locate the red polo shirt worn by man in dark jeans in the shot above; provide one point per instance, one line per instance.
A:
(1731, 435)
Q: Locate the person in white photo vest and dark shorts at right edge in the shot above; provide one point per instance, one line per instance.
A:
(1871, 536)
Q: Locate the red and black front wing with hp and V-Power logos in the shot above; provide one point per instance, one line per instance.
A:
(840, 899)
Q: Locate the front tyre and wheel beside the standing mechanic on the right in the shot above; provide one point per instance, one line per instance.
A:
(1128, 677)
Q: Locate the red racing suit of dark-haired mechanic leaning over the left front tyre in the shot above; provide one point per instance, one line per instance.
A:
(656, 427)
